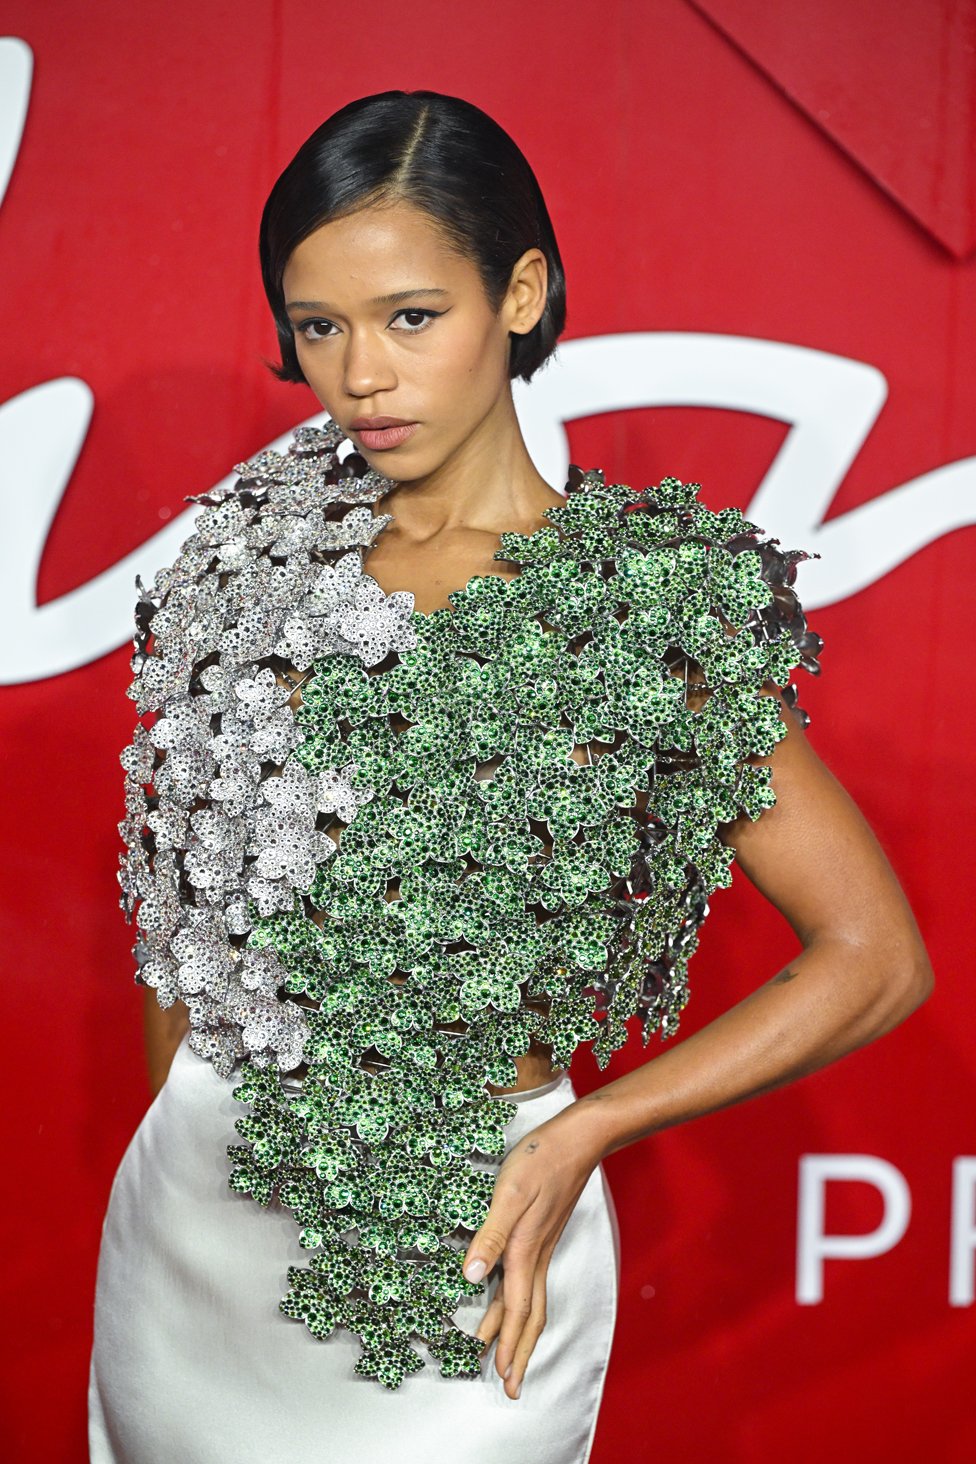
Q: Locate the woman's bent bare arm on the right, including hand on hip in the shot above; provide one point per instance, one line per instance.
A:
(864, 968)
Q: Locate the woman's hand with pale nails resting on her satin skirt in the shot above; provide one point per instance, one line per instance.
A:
(536, 1192)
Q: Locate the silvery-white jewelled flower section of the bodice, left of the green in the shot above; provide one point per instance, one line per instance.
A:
(222, 823)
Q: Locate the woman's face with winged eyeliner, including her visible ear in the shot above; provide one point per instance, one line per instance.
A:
(390, 321)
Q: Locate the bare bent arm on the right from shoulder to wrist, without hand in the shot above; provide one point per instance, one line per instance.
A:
(864, 967)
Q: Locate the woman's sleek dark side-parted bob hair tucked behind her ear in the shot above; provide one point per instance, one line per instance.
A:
(446, 157)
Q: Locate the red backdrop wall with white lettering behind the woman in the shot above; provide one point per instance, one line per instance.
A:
(778, 203)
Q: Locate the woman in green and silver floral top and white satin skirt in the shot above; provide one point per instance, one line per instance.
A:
(435, 794)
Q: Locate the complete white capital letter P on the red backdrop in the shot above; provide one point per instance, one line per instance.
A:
(814, 1247)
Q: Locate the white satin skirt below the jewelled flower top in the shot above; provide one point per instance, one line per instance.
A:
(192, 1362)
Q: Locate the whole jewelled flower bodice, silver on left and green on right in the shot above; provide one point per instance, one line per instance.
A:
(384, 851)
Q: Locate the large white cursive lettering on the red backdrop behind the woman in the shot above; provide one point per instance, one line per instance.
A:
(829, 402)
